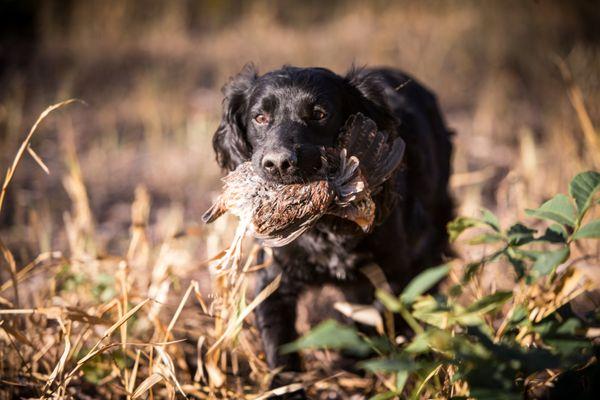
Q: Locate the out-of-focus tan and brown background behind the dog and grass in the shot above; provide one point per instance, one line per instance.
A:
(517, 80)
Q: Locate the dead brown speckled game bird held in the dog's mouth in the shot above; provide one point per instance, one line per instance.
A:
(278, 213)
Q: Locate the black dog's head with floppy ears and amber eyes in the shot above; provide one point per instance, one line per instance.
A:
(281, 120)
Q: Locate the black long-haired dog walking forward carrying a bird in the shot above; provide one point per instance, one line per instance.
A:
(279, 120)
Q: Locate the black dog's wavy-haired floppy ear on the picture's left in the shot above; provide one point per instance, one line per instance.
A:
(229, 141)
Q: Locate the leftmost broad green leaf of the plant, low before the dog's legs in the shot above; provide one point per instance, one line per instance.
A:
(329, 334)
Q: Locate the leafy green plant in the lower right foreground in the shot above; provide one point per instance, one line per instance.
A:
(503, 344)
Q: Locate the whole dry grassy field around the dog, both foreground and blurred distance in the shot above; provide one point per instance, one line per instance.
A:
(106, 290)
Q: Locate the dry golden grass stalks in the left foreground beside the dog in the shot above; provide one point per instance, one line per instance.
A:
(54, 347)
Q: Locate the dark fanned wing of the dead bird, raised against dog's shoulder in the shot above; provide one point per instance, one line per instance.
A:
(378, 155)
